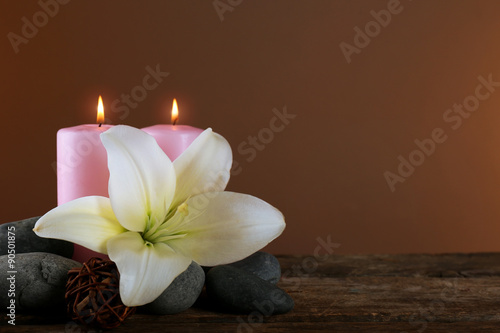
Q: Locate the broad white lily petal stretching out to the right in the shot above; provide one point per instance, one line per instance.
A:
(224, 227)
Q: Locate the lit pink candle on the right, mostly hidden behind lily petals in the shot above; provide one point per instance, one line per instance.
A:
(173, 139)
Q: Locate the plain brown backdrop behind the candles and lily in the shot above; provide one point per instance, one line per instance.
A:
(324, 171)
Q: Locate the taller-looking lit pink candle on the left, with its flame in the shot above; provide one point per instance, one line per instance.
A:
(82, 167)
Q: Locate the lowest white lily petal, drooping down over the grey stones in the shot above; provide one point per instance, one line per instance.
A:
(146, 269)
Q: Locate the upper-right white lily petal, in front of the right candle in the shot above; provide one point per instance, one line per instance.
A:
(203, 167)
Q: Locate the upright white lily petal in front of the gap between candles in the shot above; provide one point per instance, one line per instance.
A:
(142, 177)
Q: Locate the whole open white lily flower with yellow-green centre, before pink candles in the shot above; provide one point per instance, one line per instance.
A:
(161, 215)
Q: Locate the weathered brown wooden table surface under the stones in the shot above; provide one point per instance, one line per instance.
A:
(346, 293)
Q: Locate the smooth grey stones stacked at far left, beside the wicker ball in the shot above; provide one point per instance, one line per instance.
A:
(41, 266)
